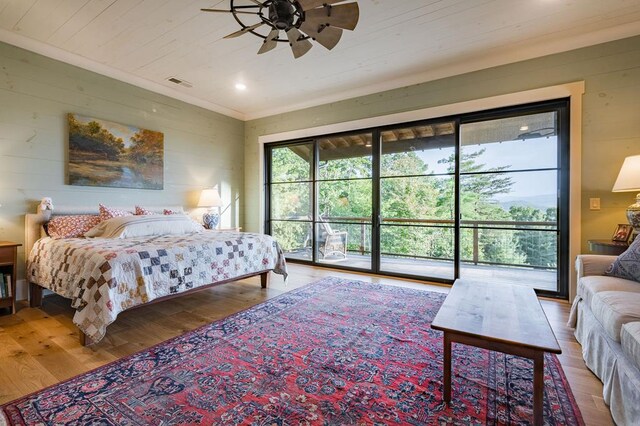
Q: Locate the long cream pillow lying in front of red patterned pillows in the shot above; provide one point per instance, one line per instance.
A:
(144, 226)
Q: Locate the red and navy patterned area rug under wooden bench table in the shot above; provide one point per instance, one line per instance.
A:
(333, 352)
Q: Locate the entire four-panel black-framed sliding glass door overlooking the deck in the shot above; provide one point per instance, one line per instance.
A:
(482, 196)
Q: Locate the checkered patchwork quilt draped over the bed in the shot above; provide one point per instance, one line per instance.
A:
(103, 276)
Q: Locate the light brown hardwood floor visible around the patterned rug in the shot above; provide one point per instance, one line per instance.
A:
(39, 347)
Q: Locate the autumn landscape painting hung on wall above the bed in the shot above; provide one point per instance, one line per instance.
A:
(103, 153)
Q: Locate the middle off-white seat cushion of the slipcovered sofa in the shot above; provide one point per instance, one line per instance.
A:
(615, 308)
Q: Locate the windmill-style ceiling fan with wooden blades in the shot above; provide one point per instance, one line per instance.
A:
(300, 20)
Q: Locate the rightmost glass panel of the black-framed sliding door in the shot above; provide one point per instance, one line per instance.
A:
(511, 181)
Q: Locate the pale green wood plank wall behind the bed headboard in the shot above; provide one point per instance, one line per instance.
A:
(202, 148)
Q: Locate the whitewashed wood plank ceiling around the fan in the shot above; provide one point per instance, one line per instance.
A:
(396, 43)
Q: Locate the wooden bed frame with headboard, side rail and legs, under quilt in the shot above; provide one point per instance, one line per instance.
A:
(33, 227)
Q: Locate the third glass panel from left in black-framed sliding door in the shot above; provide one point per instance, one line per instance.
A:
(417, 200)
